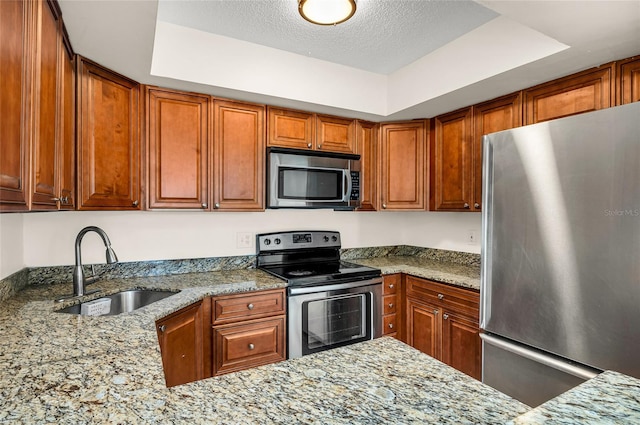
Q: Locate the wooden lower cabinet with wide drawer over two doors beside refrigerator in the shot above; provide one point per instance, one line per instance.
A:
(443, 322)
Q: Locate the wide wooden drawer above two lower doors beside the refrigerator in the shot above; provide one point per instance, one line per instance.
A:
(460, 300)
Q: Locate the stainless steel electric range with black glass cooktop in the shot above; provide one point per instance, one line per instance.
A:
(330, 302)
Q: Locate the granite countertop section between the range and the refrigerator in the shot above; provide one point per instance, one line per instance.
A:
(463, 275)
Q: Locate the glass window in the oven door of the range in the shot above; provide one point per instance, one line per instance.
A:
(334, 322)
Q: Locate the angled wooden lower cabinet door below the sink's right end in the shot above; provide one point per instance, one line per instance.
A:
(181, 345)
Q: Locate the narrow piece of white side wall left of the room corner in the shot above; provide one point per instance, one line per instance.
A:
(11, 244)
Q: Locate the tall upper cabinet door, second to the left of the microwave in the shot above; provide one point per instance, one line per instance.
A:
(178, 141)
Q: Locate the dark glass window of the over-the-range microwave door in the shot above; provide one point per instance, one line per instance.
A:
(310, 183)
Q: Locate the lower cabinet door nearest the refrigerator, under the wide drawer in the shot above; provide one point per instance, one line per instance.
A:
(461, 344)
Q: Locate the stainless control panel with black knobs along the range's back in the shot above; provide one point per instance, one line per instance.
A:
(297, 240)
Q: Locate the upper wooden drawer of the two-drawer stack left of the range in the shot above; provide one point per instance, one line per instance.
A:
(253, 306)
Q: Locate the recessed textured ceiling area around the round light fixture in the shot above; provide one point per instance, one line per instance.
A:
(400, 31)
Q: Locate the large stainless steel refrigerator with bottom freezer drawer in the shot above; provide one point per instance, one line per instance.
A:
(560, 283)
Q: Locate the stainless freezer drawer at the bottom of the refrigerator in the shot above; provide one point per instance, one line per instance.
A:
(528, 375)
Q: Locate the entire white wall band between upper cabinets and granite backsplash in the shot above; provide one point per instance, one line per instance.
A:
(48, 238)
